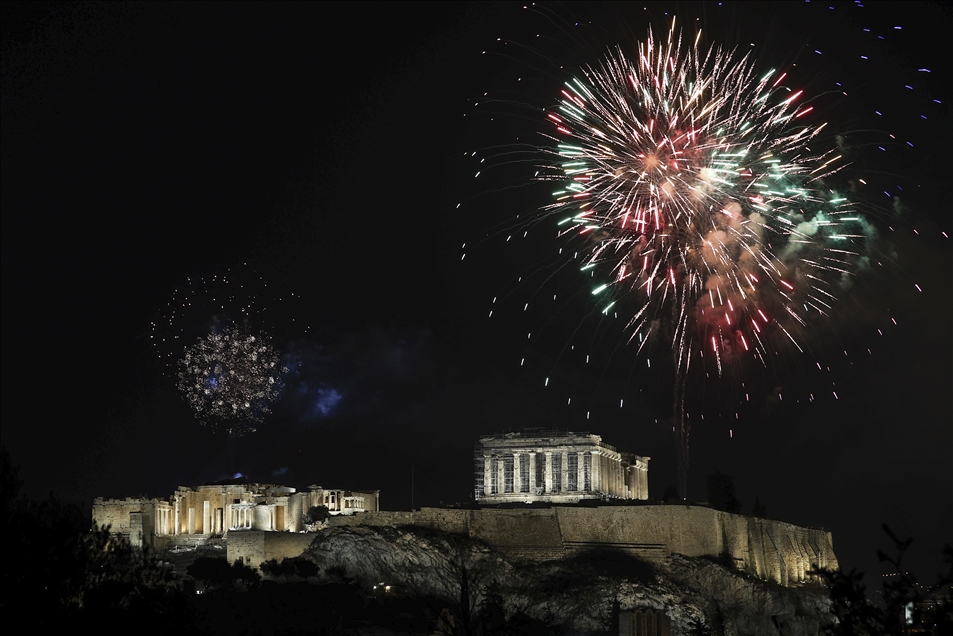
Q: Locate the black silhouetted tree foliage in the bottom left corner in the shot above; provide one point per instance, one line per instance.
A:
(77, 575)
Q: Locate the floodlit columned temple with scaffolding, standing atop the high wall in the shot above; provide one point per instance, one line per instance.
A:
(555, 467)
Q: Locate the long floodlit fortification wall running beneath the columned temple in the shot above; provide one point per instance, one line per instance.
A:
(773, 550)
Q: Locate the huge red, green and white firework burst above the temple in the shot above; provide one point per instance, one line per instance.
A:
(696, 190)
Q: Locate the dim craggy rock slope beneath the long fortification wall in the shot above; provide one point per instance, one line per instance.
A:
(585, 592)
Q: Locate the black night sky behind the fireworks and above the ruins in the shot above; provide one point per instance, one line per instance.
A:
(322, 159)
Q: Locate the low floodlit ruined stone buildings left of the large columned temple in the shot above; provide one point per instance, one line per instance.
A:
(194, 515)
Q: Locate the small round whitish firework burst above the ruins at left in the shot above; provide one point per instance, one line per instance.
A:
(230, 378)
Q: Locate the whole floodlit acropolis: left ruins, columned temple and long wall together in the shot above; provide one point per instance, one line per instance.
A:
(583, 494)
